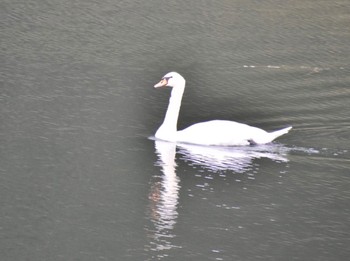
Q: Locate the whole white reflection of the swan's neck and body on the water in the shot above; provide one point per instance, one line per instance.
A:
(164, 194)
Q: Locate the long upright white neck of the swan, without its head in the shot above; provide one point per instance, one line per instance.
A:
(167, 131)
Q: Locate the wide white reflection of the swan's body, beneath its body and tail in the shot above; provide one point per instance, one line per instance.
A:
(237, 159)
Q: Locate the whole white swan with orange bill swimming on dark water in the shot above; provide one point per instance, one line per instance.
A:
(216, 132)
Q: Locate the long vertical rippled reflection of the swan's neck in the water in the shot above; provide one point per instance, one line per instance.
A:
(164, 198)
